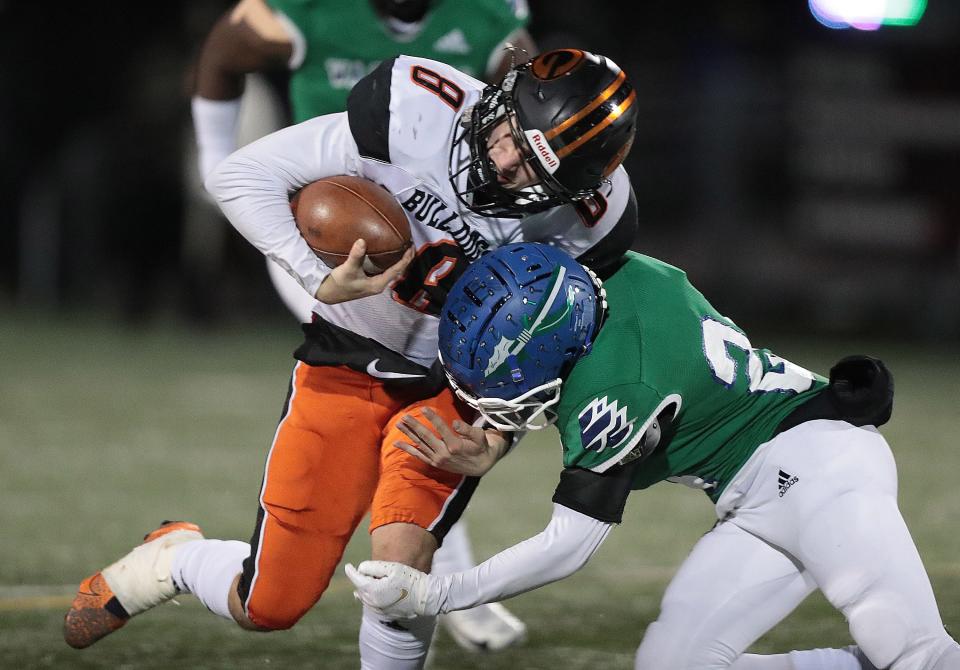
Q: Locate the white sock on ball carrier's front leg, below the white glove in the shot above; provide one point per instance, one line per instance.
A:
(394, 645)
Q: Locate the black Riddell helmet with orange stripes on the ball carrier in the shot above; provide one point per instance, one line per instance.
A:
(573, 115)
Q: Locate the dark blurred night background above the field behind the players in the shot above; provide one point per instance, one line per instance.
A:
(804, 177)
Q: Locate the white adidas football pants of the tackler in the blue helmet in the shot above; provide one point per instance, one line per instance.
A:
(815, 507)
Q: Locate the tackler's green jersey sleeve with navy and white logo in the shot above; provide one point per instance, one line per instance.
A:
(606, 429)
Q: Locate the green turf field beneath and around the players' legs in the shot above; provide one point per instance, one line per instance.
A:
(105, 431)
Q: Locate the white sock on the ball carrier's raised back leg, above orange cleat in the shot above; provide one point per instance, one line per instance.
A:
(207, 568)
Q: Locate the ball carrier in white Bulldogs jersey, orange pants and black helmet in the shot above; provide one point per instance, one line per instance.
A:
(537, 157)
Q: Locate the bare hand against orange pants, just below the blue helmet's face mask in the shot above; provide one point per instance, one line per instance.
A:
(461, 448)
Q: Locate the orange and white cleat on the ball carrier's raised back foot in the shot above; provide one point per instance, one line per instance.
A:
(140, 580)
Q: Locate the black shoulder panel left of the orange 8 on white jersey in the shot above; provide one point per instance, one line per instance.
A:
(368, 112)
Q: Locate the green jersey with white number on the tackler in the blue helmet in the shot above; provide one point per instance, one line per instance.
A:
(665, 348)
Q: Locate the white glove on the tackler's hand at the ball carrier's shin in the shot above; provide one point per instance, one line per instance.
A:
(393, 589)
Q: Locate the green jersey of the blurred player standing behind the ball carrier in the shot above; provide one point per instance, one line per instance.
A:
(338, 42)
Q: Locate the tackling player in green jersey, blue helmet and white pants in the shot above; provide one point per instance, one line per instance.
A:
(648, 382)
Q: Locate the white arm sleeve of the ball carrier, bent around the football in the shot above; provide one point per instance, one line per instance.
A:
(253, 186)
